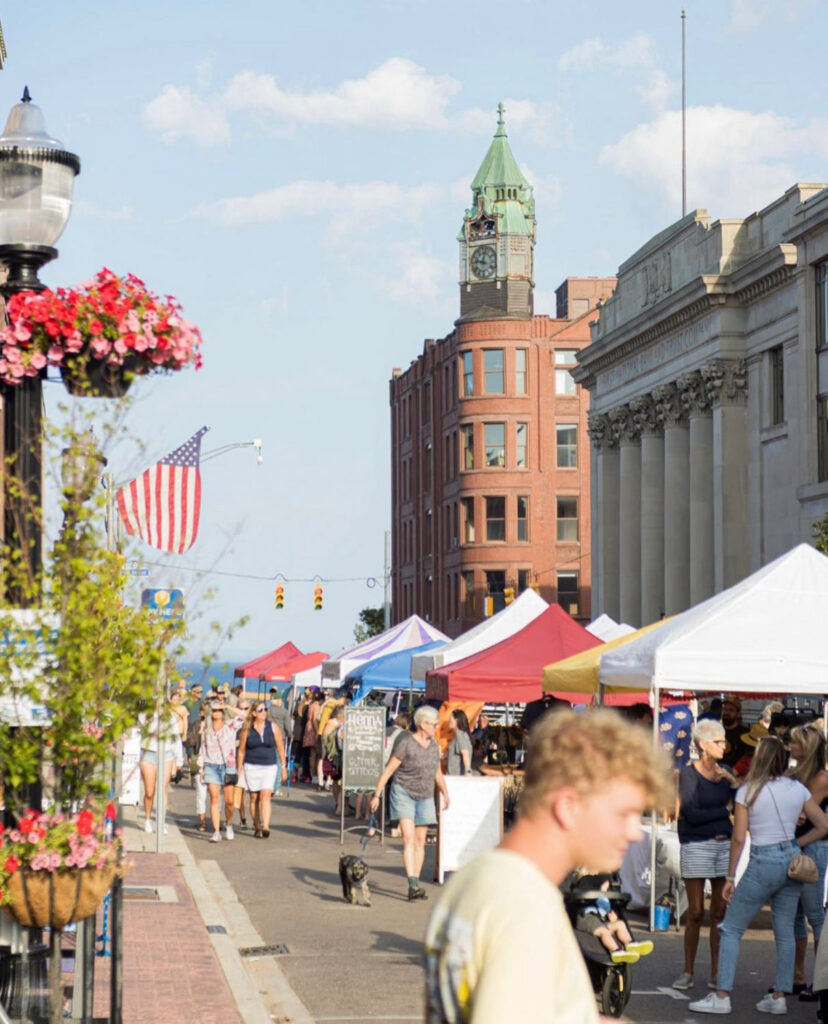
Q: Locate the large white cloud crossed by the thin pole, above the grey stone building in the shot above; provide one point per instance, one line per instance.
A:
(737, 161)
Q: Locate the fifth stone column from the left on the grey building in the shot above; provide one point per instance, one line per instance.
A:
(696, 403)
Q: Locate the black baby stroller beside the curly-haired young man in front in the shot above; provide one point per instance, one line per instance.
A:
(612, 982)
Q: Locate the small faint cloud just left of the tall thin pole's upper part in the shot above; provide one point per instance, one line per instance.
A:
(636, 57)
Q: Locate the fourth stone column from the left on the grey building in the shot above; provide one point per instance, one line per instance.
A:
(677, 499)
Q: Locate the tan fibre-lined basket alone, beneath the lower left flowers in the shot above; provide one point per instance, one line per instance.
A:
(58, 899)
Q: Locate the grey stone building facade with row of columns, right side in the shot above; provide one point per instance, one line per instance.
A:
(709, 380)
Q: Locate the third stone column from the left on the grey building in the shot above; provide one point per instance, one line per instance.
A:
(652, 508)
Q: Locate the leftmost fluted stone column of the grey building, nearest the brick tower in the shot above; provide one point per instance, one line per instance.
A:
(605, 518)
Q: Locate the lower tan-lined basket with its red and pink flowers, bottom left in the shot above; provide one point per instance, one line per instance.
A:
(57, 869)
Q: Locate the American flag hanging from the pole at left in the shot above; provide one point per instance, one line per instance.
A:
(162, 505)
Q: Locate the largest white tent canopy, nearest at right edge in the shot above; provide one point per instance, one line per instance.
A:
(765, 635)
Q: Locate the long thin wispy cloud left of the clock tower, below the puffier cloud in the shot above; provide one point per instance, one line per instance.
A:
(351, 208)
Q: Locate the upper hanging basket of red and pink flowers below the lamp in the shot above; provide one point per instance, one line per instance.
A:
(101, 335)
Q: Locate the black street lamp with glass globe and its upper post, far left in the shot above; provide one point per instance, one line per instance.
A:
(37, 177)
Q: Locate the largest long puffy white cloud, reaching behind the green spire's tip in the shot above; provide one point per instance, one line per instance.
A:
(398, 96)
